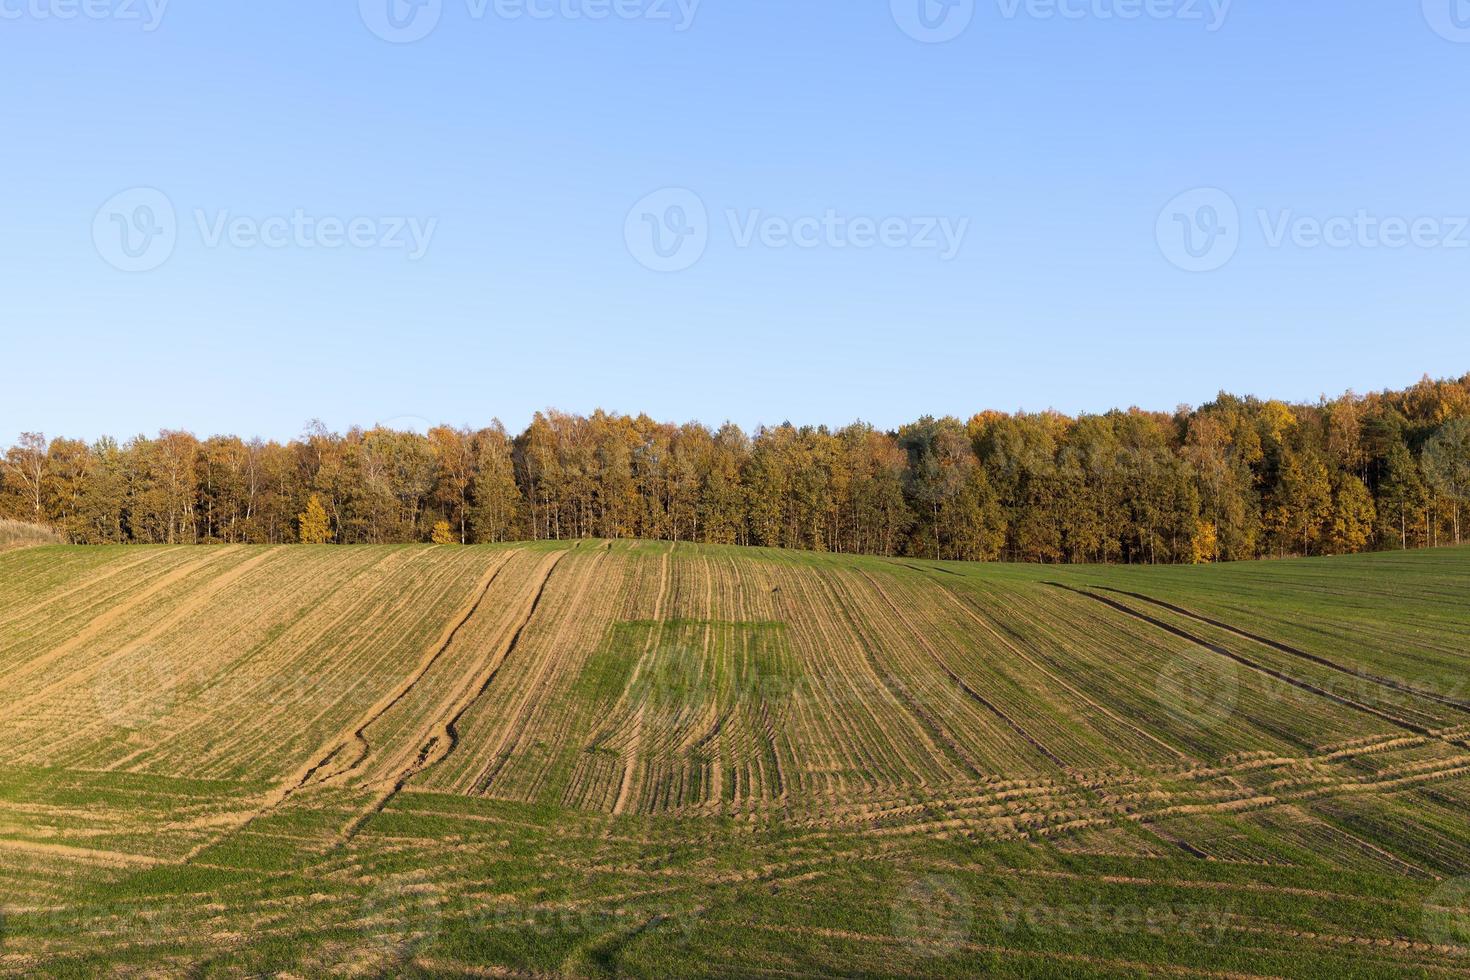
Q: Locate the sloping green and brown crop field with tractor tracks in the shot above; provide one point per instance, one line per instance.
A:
(671, 760)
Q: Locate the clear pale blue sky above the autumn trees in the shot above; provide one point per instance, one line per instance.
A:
(867, 220)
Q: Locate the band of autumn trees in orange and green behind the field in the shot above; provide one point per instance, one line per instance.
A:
(1236, 480)
